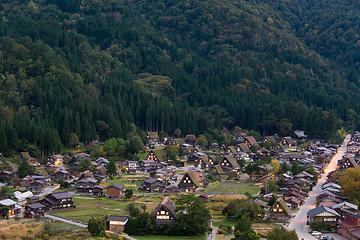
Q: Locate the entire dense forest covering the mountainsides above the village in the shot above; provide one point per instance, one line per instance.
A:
(109, 68)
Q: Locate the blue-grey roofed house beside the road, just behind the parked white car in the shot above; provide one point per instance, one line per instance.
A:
(322, 213)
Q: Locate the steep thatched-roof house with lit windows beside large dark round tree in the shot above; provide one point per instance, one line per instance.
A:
(164, 213)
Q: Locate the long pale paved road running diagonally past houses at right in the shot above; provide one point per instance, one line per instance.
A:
(299, 222)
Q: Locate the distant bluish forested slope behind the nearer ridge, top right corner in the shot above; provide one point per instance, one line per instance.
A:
(331, 28)
